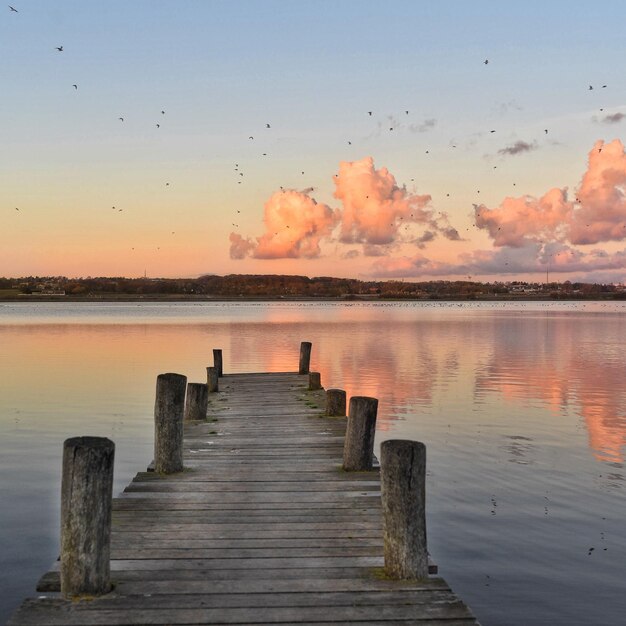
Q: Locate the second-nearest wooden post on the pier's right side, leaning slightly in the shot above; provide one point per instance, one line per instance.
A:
(358, 448)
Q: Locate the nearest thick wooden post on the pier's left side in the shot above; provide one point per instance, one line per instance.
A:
(86, 490)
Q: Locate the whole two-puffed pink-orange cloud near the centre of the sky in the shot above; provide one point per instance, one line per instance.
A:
(376, 213)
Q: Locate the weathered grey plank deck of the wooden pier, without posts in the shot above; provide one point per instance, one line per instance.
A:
(263, 526)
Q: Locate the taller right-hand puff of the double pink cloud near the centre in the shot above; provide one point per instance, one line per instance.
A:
(374, 207)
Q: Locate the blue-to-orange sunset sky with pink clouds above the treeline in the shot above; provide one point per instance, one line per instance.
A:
(394, 150)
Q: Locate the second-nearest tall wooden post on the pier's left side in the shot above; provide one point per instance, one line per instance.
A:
(168, 423)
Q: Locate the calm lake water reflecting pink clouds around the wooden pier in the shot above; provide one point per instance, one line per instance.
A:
(522, 407)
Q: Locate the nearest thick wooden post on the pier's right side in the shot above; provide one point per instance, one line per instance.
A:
(402, 481)
